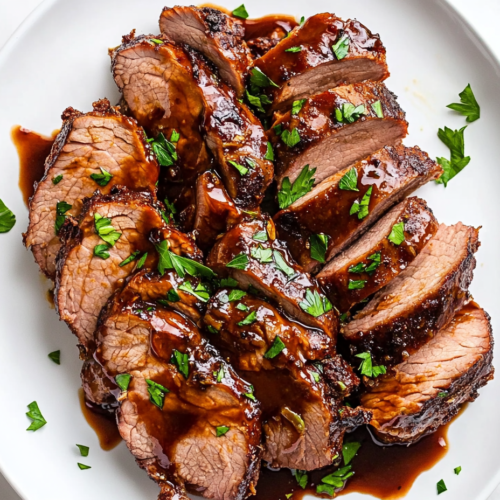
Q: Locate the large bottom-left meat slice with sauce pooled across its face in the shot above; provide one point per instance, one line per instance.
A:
(196, 428)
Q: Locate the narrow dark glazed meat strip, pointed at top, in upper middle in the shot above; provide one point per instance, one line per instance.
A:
(235, 137)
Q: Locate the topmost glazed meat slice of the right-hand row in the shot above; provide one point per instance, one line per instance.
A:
(318, 66)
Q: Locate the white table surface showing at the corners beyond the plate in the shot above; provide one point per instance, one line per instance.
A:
(482, 15)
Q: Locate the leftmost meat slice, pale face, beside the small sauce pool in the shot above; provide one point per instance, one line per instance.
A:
(101, 143)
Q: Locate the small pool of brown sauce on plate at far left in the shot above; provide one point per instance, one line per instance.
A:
(32, 149)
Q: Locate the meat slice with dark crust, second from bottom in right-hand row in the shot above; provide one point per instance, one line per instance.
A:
(420, 301)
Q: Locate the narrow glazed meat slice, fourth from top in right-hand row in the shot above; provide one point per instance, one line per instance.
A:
(380, 255)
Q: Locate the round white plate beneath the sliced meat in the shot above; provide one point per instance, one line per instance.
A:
(59, 58)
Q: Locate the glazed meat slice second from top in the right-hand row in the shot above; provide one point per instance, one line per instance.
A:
(334, 129)
